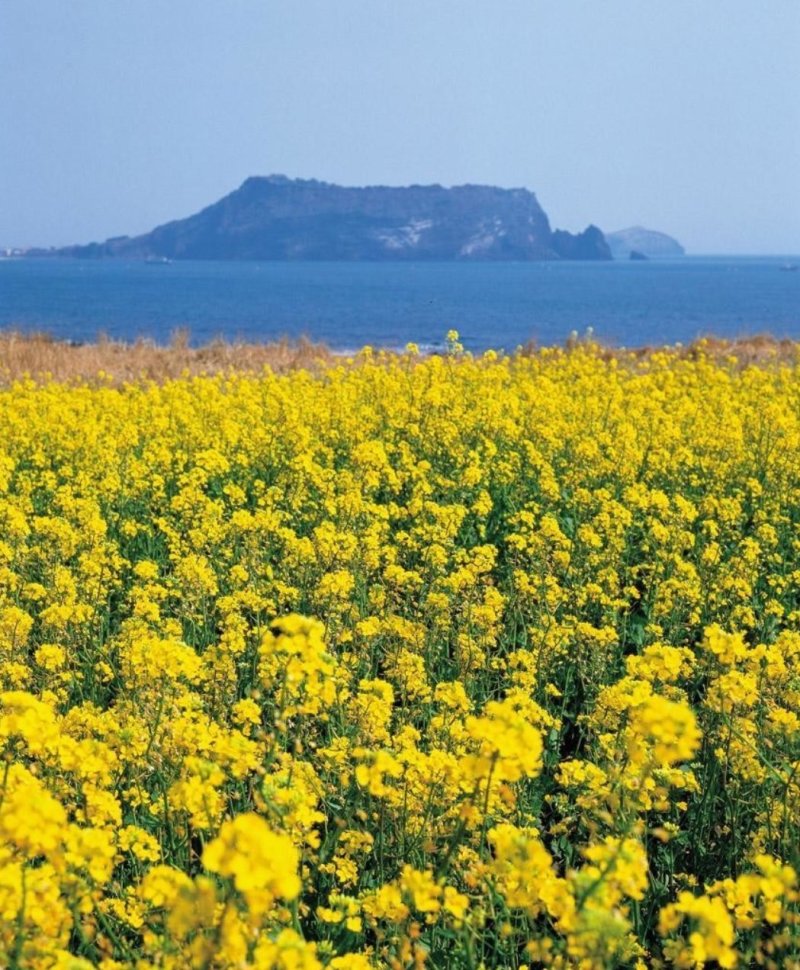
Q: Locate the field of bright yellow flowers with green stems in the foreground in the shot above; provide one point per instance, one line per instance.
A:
(409, 662)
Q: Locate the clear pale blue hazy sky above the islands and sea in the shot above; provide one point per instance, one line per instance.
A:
(681, 115)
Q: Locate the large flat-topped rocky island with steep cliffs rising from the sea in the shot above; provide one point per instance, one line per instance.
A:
(278, 218)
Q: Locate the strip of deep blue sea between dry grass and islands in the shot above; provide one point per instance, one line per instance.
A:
(348, 305)
